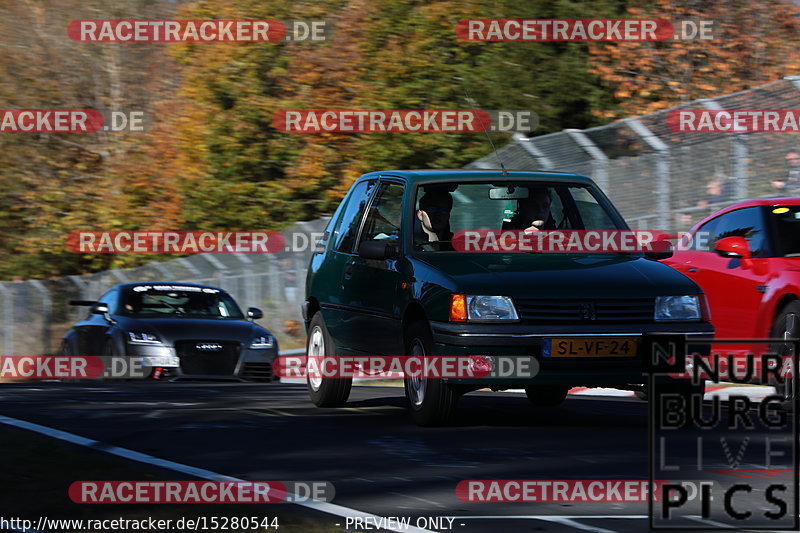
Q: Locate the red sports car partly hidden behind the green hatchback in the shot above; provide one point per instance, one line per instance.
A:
(746, 258)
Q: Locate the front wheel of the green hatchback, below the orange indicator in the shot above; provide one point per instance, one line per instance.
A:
(432, 401)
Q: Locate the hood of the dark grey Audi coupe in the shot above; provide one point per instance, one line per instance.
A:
(170, 330)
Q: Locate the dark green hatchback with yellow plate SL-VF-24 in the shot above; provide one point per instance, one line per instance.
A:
(387, 279)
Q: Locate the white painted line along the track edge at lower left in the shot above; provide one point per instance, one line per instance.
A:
(202, 473)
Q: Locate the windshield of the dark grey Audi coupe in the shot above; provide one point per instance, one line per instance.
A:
(178, 301)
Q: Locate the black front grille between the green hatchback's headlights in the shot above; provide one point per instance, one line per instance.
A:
(581, 310)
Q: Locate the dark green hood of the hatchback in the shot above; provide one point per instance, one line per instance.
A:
(560, 275)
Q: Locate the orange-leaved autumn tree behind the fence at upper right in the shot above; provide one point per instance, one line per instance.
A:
(752, 43)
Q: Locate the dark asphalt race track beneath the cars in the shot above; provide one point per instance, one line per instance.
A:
(377, 460)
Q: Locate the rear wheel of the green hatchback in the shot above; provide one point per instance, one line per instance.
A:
(324, 392)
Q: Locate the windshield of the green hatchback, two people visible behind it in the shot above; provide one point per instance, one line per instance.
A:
(443, 209)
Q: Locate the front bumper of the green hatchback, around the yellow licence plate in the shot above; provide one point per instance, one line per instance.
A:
(522, 340)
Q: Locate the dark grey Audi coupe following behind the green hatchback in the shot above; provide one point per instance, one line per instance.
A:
(175, 330)
